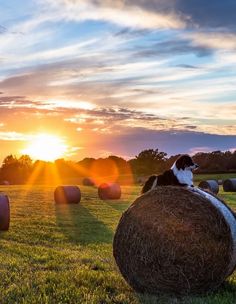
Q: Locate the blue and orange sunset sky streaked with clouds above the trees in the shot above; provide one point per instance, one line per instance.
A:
(118, 76)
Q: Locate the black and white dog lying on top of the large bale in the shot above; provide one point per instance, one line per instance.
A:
(180, 174)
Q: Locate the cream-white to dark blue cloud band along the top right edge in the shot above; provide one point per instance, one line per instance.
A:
(154, 13)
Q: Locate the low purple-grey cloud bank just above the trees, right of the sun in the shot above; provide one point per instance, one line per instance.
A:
(133, 140)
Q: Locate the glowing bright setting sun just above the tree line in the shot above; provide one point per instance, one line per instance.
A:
(46, 147)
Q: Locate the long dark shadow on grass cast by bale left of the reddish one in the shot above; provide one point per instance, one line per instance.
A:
(79, 226)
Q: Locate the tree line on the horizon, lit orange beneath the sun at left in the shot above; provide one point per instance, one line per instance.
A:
(23, 170)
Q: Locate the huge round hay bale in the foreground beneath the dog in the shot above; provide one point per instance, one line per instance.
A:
(171, 240)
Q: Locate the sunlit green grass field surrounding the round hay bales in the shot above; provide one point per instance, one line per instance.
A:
(63, 254)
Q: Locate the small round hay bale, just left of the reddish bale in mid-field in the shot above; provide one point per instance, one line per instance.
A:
(67, 195)
